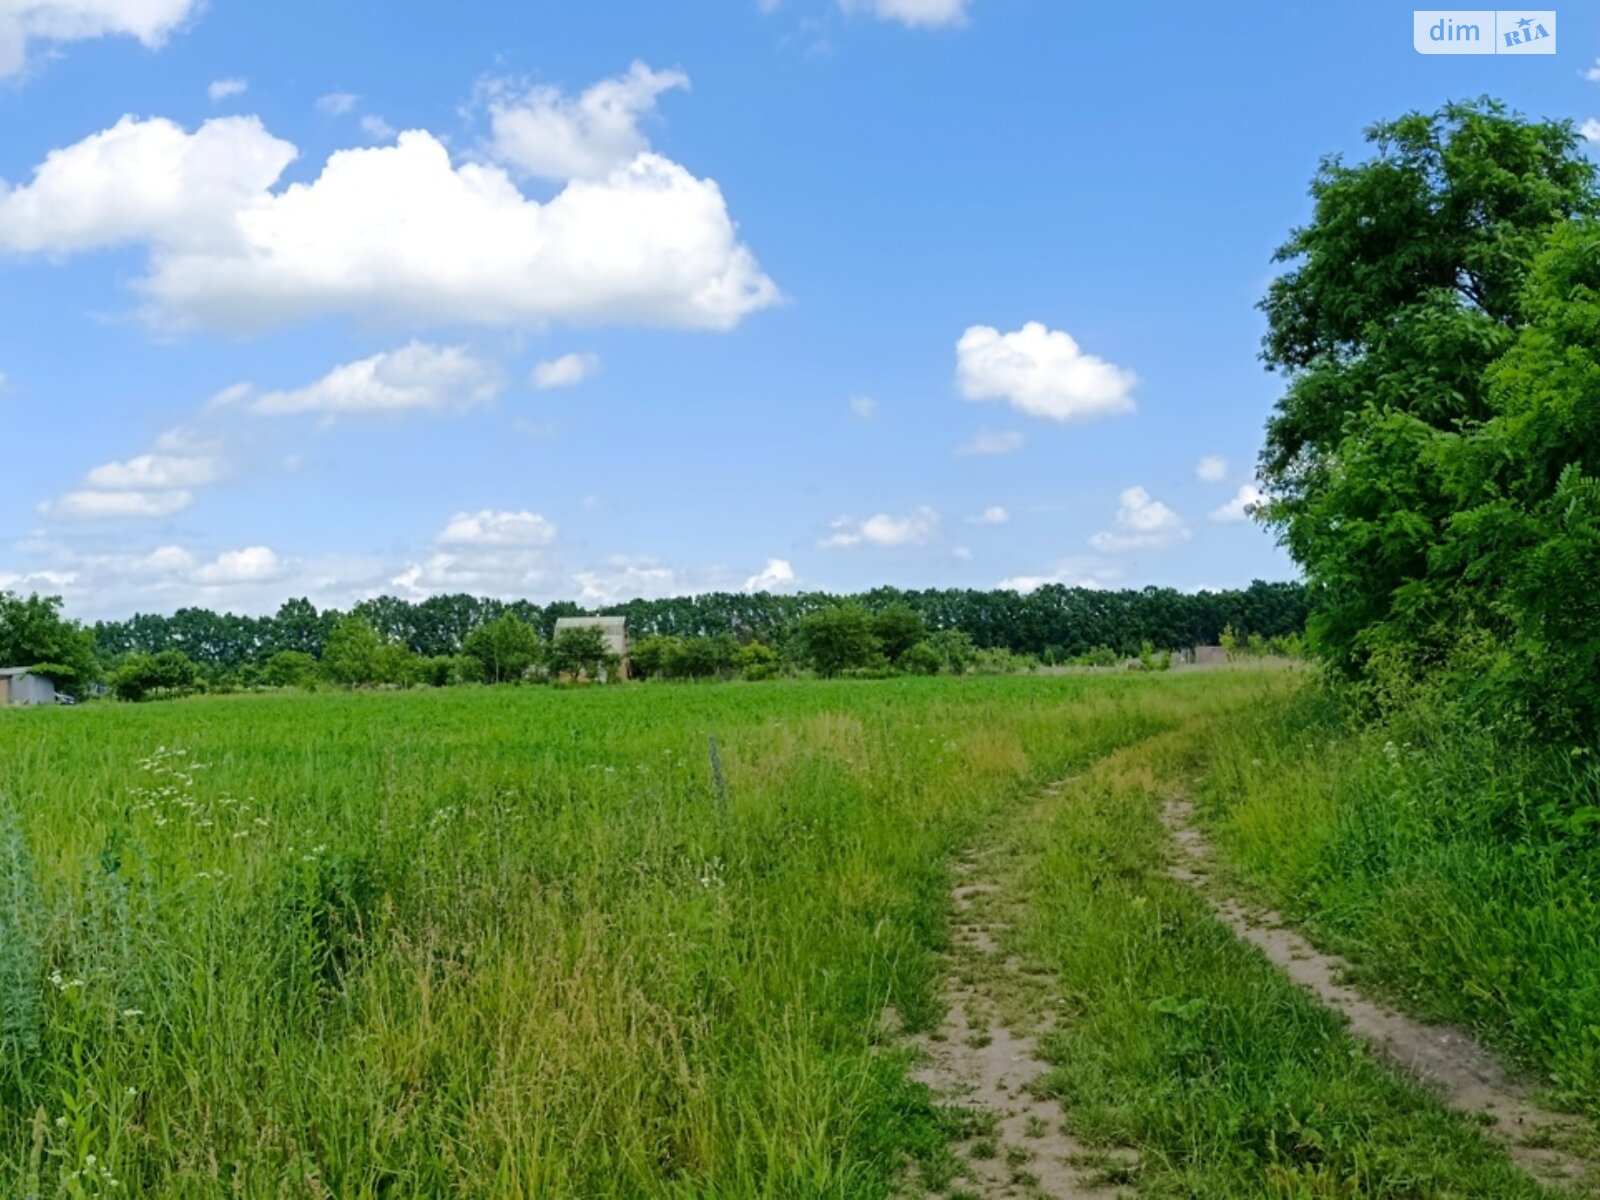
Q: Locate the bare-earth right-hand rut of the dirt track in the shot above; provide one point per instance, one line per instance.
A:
(1444, 1058)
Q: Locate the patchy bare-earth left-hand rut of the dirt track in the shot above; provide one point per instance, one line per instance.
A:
(985, 1058)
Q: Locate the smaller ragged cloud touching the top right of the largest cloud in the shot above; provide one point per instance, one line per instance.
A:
(548, 135)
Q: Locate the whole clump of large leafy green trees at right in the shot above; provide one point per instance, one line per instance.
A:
(1434, 463)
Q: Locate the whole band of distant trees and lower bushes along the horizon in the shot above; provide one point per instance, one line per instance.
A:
(468, 641)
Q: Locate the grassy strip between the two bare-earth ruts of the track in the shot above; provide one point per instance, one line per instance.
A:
(1188, 1047)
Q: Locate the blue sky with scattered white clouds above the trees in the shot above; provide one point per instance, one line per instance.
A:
(590, 302)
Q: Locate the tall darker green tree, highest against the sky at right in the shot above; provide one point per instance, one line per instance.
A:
(1407, 284)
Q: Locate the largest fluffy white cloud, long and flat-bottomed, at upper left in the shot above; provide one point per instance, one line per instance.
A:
(391, 233)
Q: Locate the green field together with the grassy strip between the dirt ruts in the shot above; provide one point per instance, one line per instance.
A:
(521, 943)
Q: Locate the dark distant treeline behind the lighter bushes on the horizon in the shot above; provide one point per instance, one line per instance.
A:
(1052, 623)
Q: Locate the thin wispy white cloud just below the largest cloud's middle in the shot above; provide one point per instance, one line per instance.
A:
(417, 377)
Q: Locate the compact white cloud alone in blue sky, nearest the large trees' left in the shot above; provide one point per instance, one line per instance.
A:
(1042, 374)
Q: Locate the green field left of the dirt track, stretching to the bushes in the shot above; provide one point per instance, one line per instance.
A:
(502, 942)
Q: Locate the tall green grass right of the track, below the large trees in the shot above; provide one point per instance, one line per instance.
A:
(1458, 866)
